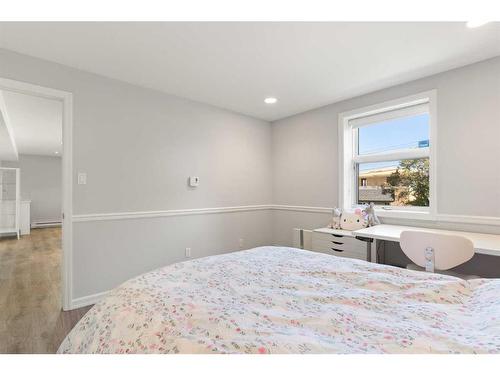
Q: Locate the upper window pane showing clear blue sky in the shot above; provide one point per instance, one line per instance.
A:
(396, 134)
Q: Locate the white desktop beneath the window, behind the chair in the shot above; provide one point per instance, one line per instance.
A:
(488, 244)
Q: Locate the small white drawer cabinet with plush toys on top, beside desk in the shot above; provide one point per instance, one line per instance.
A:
(341, 243)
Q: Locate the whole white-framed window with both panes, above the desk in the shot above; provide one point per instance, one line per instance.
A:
(387, 156)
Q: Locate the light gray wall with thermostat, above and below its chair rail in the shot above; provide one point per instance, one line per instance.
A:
(138, 147)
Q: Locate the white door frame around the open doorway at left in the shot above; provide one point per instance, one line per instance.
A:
(67, 172)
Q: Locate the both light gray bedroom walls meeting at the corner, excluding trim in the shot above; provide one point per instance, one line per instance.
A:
(138, 147)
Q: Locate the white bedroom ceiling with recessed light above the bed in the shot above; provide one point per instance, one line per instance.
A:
(236, 65)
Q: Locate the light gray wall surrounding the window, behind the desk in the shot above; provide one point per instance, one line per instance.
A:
(305, 156)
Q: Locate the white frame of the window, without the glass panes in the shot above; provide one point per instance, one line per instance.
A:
(348, 159)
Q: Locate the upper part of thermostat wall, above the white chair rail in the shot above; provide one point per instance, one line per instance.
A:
(138, 146)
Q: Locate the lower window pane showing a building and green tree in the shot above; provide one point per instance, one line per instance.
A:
(394, 183)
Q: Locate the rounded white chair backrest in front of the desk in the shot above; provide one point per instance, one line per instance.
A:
(447, 251)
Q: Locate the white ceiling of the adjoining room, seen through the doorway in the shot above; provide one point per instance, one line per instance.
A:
(35, 124)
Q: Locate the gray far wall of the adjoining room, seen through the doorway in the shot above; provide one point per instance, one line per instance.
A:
(41, 182)
